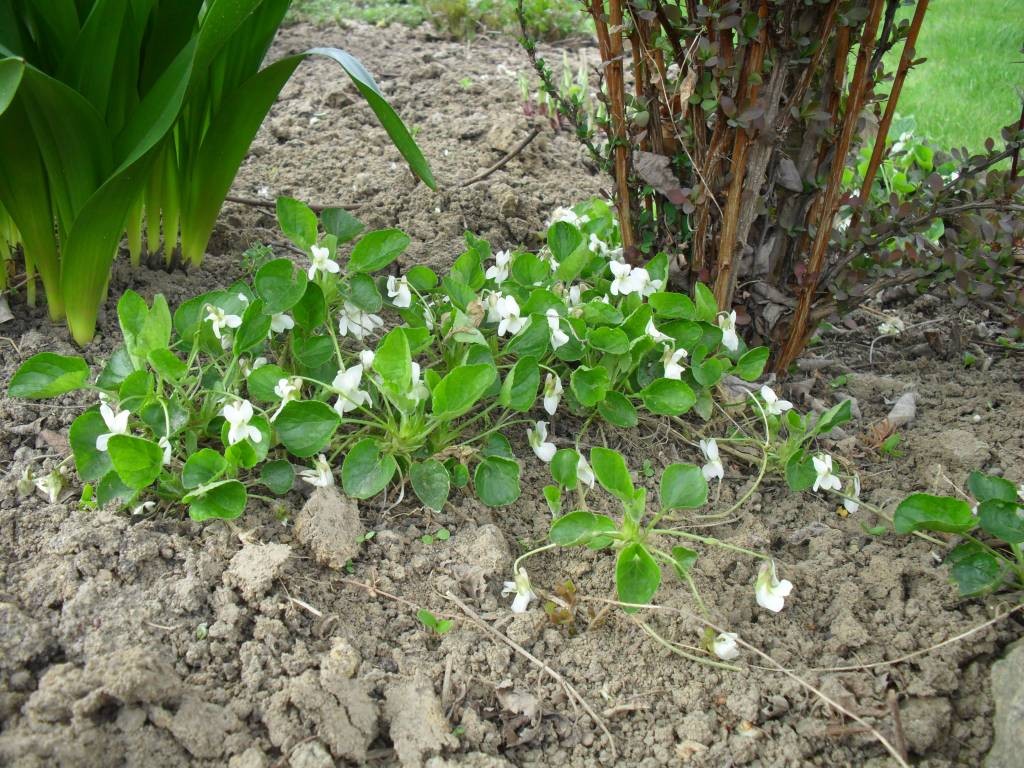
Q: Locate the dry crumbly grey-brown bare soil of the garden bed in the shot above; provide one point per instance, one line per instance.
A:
(157, 642)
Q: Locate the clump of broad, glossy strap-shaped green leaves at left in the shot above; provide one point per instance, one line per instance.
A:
(110, 111)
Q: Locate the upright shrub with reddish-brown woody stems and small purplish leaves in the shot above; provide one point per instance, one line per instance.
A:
(730, 130)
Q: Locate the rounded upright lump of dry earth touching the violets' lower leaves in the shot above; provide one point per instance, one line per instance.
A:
(329, 525)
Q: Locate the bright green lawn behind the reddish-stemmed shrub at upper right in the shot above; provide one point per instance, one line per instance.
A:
(968, 89)
